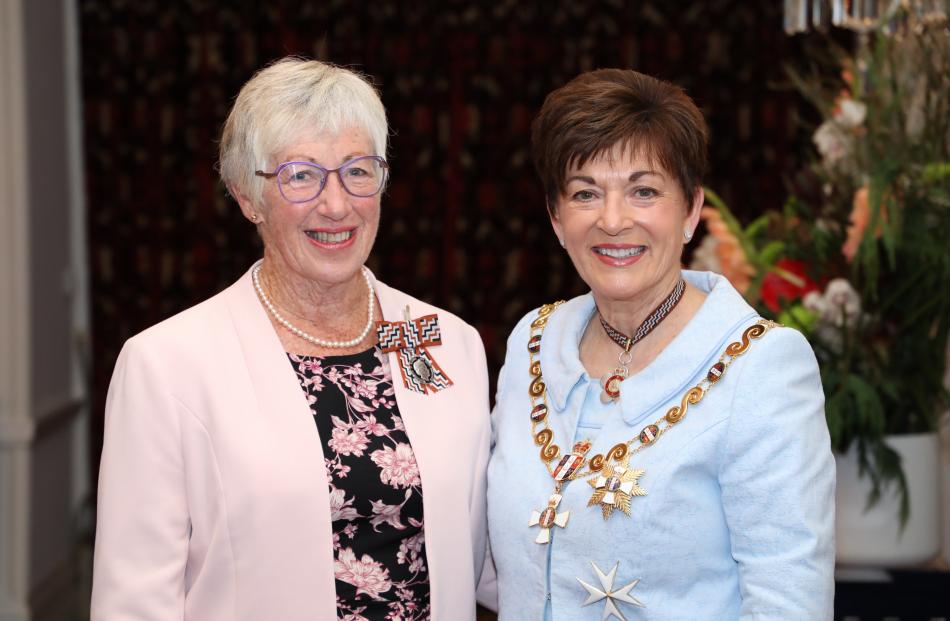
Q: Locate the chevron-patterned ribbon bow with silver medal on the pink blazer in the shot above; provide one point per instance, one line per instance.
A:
(411, 340)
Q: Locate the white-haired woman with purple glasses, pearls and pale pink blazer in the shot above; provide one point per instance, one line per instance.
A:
(309, 443)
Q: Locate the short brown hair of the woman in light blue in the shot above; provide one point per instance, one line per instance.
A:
(599, 109)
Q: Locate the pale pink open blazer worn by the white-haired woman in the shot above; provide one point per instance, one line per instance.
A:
(213, 497)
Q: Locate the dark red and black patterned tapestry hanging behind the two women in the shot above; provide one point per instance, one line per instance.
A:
(463, 224)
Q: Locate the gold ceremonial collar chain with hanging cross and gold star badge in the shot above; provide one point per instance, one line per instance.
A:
(613, 481)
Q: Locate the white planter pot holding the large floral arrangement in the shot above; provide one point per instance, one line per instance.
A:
(874, 537)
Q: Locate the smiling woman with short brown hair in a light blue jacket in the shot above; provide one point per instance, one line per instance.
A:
(660, 450)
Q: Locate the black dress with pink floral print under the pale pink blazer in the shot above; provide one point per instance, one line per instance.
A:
(375, 489)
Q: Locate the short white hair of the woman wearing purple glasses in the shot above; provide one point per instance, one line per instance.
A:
(290, 97)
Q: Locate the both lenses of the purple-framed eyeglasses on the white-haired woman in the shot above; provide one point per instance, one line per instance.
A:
(301, 181)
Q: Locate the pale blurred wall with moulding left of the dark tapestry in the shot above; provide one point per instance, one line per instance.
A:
(43, 304)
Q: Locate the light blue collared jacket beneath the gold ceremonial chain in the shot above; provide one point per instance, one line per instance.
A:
(738, 520)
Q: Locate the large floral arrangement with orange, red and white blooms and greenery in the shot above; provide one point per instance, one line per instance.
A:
(859, 258)
